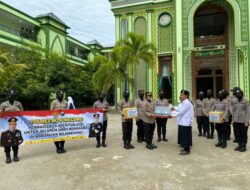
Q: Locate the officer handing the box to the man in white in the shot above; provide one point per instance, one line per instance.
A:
(149, 120)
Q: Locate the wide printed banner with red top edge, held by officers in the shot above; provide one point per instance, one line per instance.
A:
(51, 125)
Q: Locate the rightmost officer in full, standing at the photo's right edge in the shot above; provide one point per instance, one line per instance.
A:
(240, 120)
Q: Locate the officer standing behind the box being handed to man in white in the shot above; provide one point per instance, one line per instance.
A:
(161, 122)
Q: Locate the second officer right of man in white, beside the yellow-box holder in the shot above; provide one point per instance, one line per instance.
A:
(207, 107)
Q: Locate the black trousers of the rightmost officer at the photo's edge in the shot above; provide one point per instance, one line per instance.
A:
(241, 132)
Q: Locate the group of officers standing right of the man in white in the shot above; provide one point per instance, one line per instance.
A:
(235, 111)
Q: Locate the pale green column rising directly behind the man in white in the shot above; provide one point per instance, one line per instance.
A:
(179, 57)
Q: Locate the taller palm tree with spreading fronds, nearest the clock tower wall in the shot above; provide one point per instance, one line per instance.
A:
(137, 51)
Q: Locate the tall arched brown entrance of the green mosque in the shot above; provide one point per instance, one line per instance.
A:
(210, 58)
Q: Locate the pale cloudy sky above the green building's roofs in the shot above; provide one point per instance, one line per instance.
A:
(88, 19)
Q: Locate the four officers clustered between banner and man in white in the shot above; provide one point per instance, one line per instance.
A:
(145, 121)
